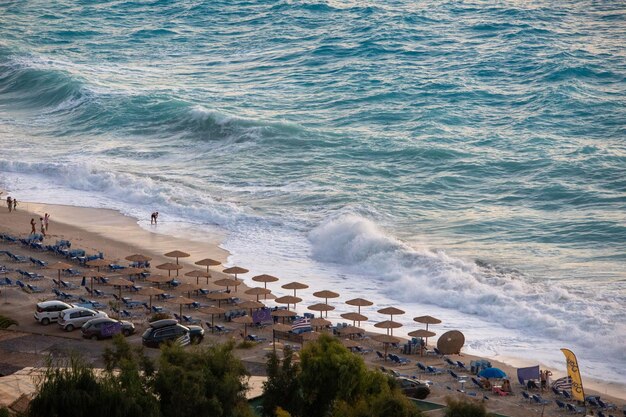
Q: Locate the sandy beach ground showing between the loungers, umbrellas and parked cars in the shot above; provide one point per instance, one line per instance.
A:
(117, 236)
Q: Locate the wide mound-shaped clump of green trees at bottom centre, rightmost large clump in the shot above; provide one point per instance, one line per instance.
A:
(330, 380)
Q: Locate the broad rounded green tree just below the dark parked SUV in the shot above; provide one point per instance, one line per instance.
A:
(201, 382)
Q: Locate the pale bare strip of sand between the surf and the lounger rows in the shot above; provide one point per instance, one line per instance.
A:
(118, 235)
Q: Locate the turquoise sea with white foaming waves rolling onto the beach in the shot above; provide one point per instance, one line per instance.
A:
(460, 159)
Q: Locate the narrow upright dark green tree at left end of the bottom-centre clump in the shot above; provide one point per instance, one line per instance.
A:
(282, 388)
